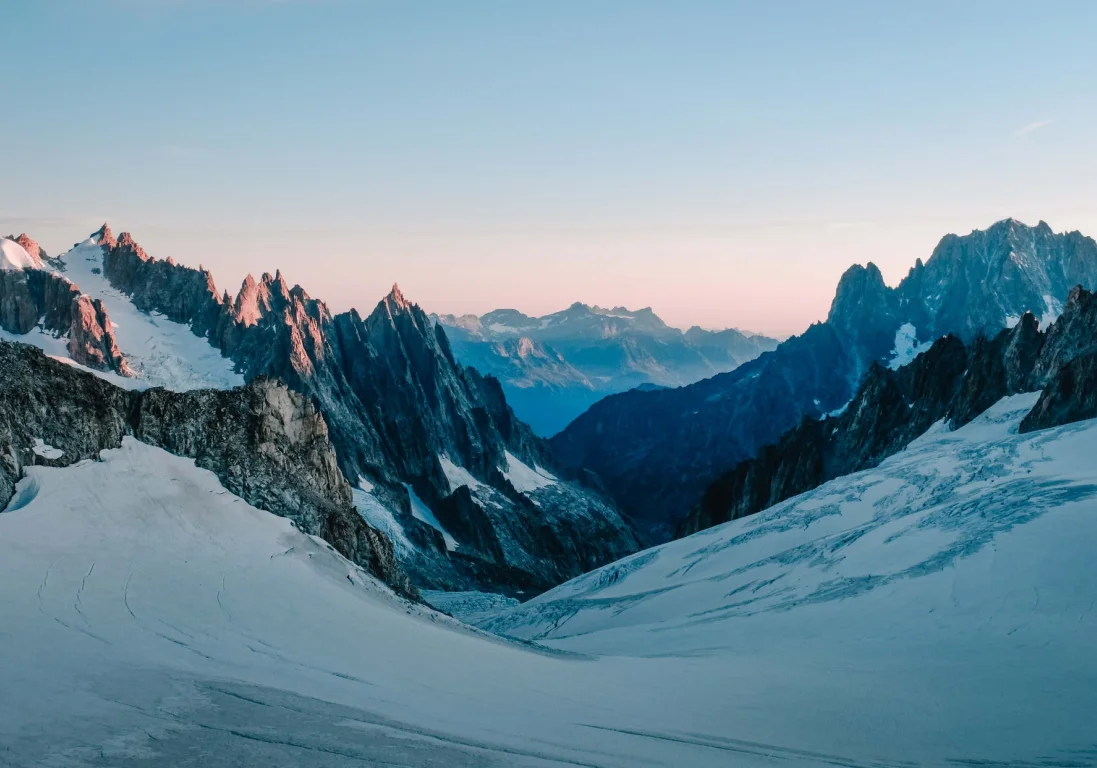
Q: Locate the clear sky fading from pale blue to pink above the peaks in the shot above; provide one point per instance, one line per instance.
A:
(721, 162)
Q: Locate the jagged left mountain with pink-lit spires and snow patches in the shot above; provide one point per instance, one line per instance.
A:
(404, 417)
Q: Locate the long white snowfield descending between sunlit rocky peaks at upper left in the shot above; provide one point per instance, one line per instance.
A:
(161, 353)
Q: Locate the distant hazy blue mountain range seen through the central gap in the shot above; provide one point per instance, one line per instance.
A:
(555, 368)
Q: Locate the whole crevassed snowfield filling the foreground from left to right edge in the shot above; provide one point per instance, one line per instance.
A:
(937, 611)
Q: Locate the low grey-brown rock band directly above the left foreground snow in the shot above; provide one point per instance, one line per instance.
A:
(266, 444)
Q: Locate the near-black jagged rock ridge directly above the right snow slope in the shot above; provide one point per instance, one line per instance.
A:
(894, 408)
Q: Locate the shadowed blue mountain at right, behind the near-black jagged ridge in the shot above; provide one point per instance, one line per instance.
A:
(658, 451)
